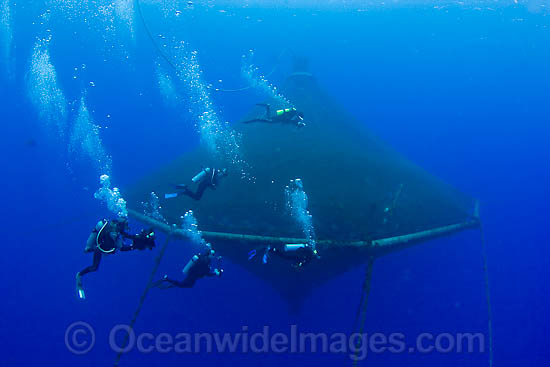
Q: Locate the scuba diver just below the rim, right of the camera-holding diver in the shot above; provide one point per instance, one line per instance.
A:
(199, 266)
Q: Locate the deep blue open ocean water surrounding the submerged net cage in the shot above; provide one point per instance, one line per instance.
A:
(461, 89)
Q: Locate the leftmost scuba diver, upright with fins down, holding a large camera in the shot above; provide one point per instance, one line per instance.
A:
(107, 237)
